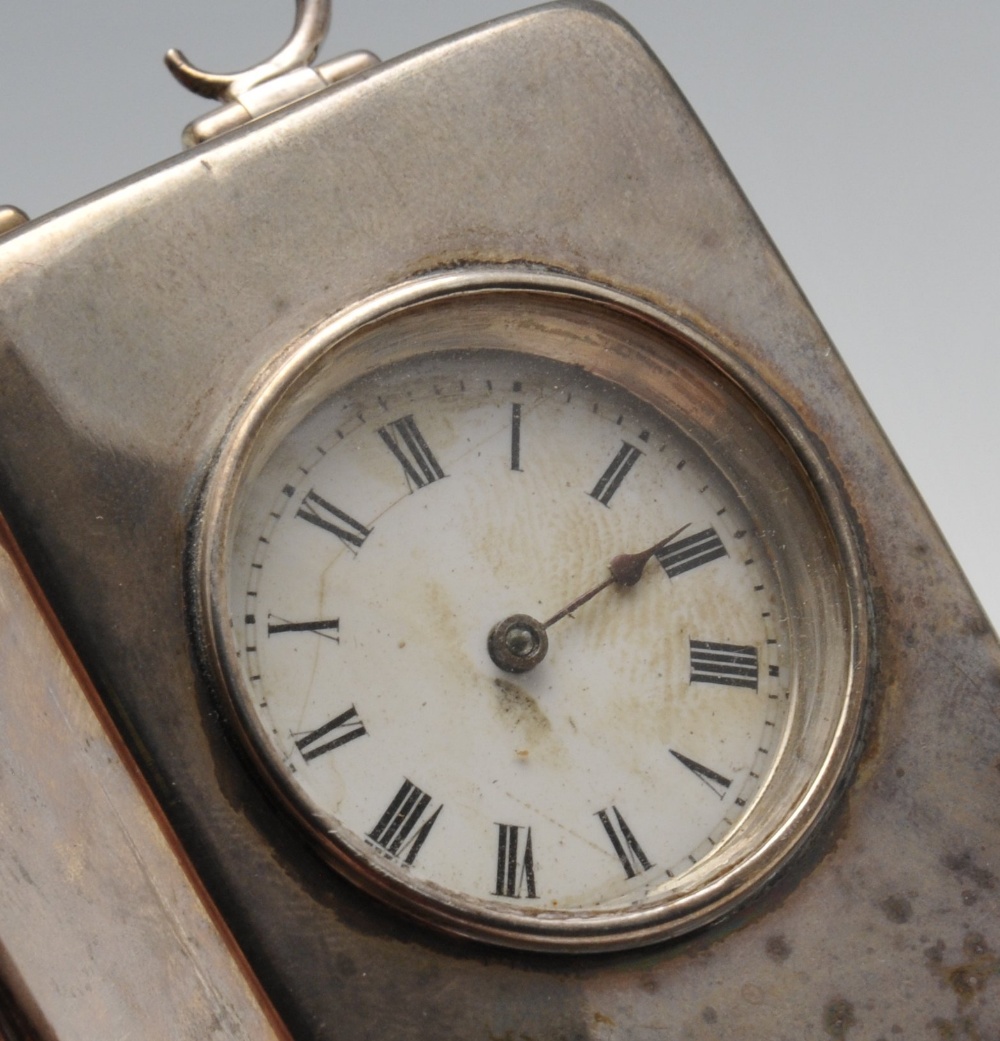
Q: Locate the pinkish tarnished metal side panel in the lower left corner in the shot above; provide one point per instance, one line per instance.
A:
(101, 931)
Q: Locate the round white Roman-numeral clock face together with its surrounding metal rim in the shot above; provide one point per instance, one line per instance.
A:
(411, 504)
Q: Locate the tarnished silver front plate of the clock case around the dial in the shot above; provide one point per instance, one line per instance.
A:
(135, 324)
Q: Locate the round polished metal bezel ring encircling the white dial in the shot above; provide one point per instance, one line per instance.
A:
(826, 592)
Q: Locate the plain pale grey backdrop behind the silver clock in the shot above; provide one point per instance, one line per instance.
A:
(864, 134)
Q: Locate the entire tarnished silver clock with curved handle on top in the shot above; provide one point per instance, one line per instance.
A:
(454, 590)
